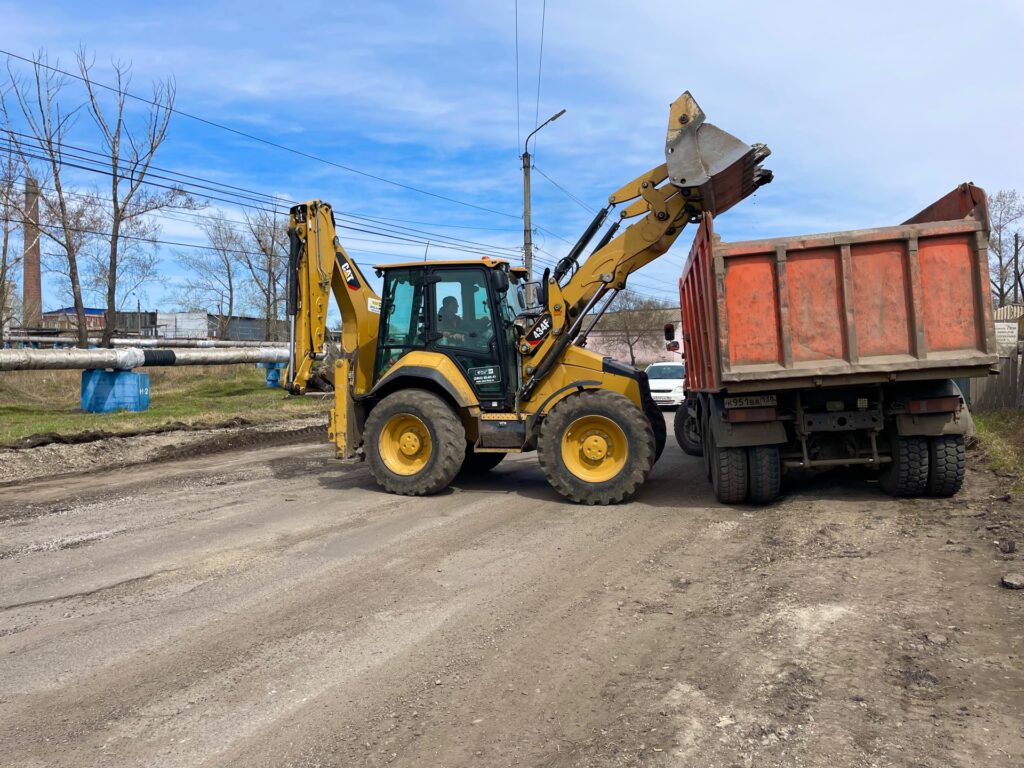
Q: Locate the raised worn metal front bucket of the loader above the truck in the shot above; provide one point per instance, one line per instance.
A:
(707, 162)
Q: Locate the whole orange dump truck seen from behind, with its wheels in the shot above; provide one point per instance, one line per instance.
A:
(837, 350)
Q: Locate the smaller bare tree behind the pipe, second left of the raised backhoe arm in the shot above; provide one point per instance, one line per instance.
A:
(212, 284)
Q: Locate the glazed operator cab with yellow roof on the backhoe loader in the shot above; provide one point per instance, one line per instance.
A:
(463, 310)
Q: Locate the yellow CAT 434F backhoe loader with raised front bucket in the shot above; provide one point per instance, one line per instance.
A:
(449, 370)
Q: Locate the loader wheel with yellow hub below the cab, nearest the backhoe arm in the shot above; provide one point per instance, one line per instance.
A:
(415, 443)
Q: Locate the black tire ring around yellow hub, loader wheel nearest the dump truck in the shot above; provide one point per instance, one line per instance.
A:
(639, 456)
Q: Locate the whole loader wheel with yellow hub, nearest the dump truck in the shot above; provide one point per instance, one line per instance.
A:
(596, 448)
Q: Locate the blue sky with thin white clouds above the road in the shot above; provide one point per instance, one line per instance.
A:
(872, 110)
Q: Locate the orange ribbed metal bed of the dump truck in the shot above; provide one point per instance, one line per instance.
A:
(868, 306)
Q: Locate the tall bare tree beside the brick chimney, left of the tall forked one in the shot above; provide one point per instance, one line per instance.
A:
(68, 219)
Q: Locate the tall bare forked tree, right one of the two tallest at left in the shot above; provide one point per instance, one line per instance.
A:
(131, 154)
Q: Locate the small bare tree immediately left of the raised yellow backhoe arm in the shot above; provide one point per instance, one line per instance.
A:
(266, 265)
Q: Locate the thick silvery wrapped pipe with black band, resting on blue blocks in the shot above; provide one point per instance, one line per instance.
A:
(123, 360)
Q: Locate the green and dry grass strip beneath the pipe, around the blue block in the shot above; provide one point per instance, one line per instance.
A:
(40, 402)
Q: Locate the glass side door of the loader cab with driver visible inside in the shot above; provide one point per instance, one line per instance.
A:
(466, 328)
